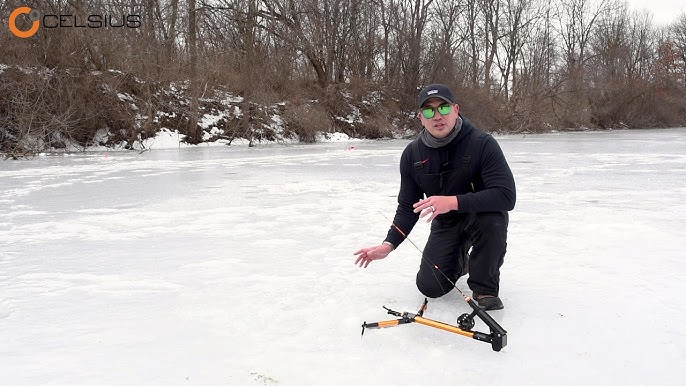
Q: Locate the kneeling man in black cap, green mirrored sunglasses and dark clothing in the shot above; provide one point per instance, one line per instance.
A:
(469, 189)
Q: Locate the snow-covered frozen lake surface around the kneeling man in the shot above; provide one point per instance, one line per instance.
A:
(234, 266)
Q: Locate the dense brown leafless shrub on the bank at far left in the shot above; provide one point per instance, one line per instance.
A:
(42, 109)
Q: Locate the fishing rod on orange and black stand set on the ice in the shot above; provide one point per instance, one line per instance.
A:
(497, 337)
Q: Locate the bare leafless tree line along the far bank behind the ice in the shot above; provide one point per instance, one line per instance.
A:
(515, 65)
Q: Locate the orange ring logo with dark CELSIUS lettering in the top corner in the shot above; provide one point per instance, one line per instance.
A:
(50, 21)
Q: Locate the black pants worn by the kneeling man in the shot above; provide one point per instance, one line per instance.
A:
(447, 256)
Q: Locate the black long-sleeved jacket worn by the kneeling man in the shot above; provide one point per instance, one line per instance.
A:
(472, 167)
